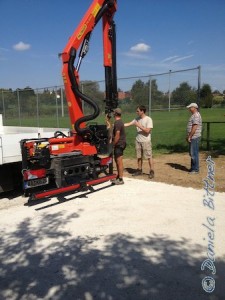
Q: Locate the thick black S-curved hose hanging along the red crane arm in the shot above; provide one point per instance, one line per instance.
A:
(84, 132)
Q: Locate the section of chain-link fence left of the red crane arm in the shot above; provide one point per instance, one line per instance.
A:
(44, 107)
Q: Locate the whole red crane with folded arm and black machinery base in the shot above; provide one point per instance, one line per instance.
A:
(82, 158)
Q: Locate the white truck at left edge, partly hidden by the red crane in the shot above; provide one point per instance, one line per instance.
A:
(10, 151)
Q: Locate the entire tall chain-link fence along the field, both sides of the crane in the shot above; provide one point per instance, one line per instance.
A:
(165, 96)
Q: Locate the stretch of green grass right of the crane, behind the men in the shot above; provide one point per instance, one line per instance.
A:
(169, 131)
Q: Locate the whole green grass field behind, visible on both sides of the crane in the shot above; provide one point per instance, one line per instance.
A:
(168, 134)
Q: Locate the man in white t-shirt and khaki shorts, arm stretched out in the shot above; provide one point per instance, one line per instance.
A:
(143, 145)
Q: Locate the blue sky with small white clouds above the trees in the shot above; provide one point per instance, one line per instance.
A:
(153, 36)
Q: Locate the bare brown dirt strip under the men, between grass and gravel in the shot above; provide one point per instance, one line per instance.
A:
(173, 169)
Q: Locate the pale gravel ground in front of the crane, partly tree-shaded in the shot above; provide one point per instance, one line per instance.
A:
(140, 240)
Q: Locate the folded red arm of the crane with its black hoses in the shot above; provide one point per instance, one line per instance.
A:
(79, 41)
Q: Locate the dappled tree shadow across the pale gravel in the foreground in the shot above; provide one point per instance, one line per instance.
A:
(47, 262)
